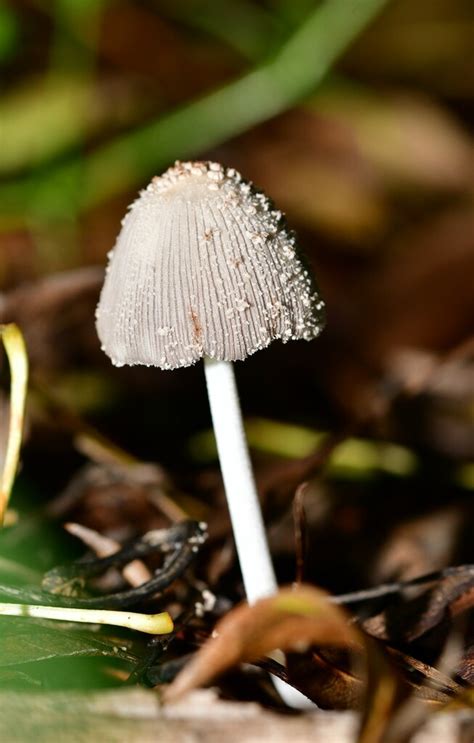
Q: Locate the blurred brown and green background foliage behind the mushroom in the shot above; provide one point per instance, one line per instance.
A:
(356, 118)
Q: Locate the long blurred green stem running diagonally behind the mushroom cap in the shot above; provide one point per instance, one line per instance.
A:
(280, 82)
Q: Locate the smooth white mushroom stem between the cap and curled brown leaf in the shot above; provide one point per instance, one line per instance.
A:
(242, 498)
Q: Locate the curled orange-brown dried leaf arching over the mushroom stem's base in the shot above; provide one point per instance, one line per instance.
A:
(292, 620)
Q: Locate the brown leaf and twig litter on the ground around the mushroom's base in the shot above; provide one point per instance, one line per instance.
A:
(374, 650)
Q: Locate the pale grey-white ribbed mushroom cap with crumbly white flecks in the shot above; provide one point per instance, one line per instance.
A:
(203, 266)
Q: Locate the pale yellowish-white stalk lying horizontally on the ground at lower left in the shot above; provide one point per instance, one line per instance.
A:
(154, 624)
